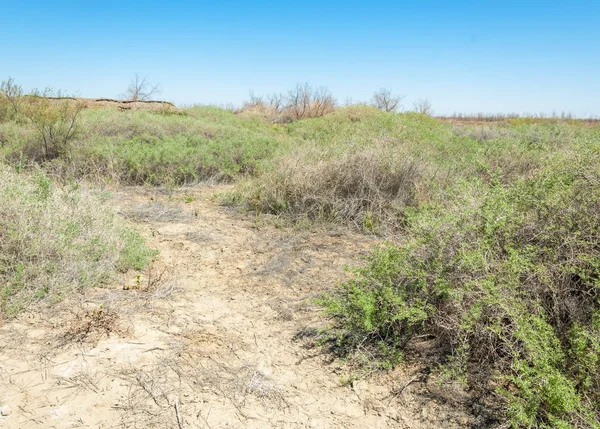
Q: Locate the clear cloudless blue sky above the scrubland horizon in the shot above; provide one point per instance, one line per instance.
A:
(465, 56)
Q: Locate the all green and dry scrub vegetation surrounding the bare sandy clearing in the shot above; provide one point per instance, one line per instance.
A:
(488, 271)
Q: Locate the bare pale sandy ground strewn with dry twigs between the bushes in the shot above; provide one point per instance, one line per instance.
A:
(211, 336)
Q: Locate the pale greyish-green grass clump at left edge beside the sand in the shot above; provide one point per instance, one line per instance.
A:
(58, 240)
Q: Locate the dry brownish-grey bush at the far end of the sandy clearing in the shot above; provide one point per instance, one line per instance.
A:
(369, 186)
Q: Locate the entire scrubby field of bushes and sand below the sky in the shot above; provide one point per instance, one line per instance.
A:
(476, 301)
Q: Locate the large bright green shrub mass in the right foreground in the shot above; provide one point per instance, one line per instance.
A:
(505, 278)
